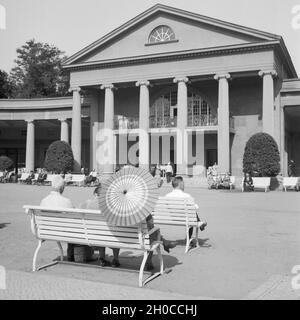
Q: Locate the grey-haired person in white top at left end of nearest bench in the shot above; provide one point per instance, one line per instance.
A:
(56, 200)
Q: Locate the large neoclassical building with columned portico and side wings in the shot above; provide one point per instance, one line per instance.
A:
(168, 85)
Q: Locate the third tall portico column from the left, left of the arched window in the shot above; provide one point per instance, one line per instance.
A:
(144, 114)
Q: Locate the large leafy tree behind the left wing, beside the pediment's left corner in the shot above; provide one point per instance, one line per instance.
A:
(38, 71)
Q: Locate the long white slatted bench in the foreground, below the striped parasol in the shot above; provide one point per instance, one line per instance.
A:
(88, 227)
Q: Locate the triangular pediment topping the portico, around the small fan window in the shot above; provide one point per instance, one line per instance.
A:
(191, 31)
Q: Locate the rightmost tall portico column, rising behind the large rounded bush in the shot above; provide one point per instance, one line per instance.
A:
(268, 100)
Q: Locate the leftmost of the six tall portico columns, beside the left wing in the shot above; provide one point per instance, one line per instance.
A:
(76, 129)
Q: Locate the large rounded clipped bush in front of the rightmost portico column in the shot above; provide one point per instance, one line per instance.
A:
(261, 156)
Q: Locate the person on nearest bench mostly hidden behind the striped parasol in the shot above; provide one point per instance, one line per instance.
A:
(93, 204)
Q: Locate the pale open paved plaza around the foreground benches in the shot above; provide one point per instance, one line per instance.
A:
(248, 251)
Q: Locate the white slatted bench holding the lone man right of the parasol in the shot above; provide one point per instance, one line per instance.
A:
(177, 212)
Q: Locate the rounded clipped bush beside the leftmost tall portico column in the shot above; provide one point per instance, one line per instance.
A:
(59, 157)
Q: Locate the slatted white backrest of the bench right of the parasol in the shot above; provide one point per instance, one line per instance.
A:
(176, 211)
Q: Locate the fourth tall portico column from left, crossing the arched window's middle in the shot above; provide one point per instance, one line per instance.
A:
(181, 139)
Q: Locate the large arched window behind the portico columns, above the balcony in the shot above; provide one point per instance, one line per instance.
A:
(163, 111)
